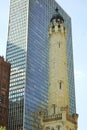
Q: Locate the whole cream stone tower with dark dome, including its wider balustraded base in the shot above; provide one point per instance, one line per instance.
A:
(59, 116)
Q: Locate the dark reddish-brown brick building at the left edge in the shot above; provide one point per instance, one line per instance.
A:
(4, 92)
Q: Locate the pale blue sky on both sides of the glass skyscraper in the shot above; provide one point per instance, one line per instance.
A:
(77, 10)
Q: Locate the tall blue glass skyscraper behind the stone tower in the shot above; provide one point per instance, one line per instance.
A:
(27, 51)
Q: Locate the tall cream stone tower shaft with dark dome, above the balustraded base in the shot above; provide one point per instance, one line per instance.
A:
(58, 75)
